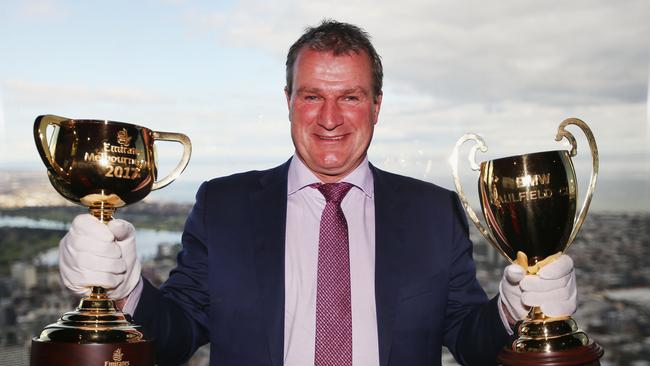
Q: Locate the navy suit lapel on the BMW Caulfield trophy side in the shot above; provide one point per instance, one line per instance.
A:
(388, 236)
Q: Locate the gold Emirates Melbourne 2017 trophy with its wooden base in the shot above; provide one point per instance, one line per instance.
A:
(102, 165)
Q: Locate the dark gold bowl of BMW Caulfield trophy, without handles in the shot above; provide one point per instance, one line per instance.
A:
(529, 203)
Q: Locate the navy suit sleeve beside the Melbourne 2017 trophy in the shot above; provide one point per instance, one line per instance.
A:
(175, 316)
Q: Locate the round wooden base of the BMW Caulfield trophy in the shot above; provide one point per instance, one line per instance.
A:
(582, 356)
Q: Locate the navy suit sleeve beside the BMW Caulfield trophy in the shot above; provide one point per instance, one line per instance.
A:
(474, 332)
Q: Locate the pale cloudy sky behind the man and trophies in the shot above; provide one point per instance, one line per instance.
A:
(510, 71)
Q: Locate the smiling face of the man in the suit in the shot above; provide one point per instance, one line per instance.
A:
(332, 111)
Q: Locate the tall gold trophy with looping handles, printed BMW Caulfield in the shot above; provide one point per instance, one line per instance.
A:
(529, 204)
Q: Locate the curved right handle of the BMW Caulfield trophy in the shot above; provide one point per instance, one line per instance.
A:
(561, 132)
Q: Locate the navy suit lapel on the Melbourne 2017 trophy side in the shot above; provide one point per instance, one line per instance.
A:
(270, 208)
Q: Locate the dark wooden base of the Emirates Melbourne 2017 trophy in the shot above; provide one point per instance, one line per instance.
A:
(91, 354)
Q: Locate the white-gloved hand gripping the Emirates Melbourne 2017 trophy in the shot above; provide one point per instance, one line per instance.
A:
(96, 254)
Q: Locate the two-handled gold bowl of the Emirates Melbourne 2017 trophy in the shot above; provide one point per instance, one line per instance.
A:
(103, 164)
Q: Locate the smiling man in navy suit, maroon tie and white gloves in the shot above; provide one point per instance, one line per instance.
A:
(324, 260)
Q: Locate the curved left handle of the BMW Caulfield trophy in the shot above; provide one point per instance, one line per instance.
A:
(471, 157)
